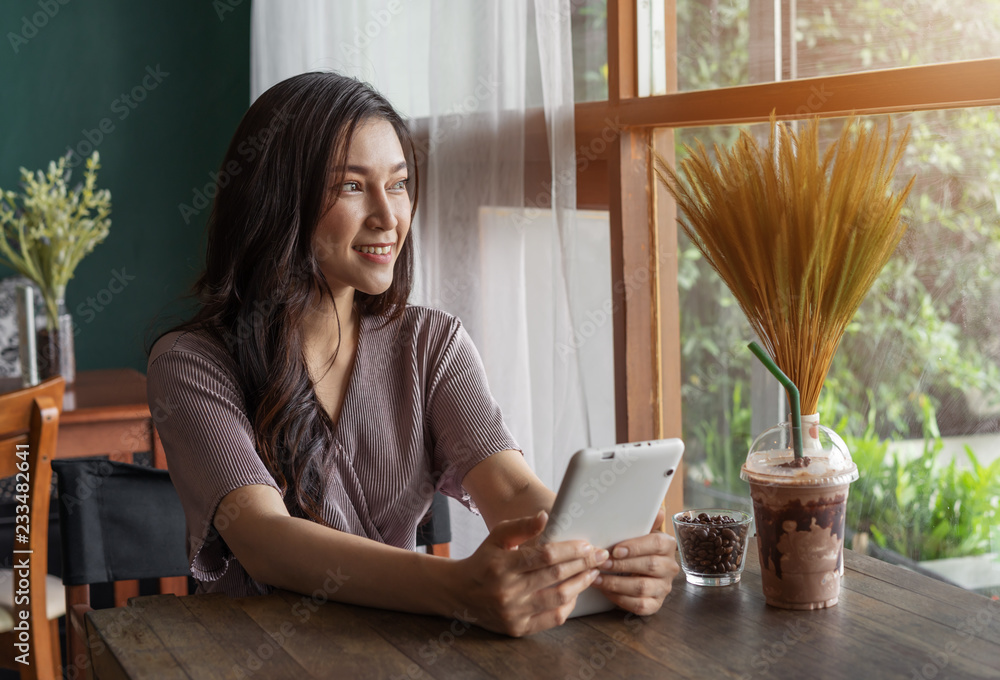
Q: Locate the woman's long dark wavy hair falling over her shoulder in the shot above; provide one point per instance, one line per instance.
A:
(261, 271)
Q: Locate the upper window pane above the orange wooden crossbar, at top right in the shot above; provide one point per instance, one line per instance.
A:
(737, 42)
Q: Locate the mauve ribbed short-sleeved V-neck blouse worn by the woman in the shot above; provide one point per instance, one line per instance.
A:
(417, 416)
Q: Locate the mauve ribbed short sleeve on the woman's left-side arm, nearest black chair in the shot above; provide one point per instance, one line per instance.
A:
(208, 441)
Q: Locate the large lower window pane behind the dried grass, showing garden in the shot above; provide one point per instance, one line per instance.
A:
(915, 386)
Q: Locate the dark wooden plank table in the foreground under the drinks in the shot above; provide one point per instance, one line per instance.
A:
(890, 623)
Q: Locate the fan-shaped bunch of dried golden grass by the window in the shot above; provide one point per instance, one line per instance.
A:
(798, 237)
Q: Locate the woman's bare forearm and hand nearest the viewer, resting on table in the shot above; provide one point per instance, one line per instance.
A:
(494, 588)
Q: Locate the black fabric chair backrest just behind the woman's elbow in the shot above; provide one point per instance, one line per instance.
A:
(118, 522)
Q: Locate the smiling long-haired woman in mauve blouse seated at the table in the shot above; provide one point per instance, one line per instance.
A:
(312, 412)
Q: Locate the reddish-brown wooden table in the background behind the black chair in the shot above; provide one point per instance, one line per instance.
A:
(105, 413)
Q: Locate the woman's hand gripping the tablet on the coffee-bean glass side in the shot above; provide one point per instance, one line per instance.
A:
(650, 566)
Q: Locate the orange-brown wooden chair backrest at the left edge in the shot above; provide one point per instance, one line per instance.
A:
(29, 425)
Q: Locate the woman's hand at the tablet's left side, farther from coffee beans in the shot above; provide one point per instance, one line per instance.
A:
(513, 585)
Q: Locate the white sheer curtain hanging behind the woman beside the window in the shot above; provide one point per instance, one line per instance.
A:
(525, 273)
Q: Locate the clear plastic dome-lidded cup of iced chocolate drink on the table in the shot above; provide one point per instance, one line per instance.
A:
(799, 510)
